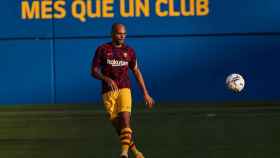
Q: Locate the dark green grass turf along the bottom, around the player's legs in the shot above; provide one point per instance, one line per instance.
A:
(165, 132)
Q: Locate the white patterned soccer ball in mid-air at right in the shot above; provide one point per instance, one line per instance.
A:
(235, 82)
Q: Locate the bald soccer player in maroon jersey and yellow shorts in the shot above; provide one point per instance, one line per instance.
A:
(110, 64)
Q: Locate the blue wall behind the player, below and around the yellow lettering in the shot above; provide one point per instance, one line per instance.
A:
(182, 58)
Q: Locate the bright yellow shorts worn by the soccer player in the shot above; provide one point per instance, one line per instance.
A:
(116, 102)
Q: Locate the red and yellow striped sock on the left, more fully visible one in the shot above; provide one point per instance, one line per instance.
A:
(125, 139)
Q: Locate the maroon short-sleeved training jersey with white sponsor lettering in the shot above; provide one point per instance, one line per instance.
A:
(114, 63)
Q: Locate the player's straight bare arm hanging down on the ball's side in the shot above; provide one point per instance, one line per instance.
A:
(138, 75)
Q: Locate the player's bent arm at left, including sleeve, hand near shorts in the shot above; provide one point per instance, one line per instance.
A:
(96, 71)
